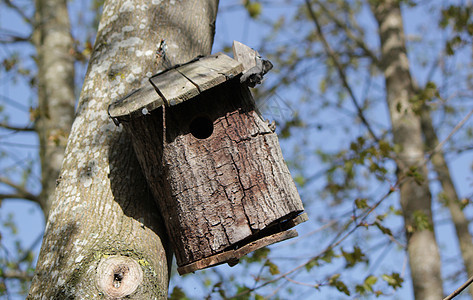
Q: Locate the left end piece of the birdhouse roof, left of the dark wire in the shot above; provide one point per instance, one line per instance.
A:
(140, 101)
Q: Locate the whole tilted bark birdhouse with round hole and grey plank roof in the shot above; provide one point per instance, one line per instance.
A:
(214, 165)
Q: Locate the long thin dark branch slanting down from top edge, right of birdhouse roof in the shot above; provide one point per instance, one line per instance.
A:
(340, 70)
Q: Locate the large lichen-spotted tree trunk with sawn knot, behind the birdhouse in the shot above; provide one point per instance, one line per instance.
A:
(104, 238)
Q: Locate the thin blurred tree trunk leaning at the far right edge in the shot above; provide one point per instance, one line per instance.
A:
(450, 194)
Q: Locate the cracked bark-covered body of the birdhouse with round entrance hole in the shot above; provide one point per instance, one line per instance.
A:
(219, 190)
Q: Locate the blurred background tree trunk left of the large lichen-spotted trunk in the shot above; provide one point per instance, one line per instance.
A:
(56, 100)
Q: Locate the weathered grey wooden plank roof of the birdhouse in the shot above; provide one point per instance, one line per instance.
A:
(177, 85)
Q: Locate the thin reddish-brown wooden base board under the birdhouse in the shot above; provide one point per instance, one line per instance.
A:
(232, 256)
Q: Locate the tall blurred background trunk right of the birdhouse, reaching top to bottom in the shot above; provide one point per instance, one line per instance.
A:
(415, 195)
